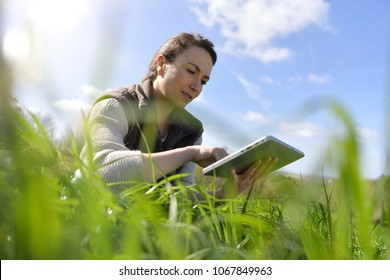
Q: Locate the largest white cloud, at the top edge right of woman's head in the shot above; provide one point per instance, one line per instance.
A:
(251, 27)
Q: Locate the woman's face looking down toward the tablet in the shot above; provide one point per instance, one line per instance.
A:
(181, 81)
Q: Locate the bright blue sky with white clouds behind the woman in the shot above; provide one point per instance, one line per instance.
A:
(274, 58)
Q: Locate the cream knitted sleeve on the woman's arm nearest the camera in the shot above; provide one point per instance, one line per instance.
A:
(108, 126)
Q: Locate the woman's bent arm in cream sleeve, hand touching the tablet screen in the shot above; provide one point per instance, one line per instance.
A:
(116, 163)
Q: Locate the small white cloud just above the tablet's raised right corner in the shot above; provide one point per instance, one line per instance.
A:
(302, 130)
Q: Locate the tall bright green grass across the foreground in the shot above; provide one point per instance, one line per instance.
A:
(45, 214)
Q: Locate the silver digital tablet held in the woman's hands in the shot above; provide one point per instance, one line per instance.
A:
(261, 149)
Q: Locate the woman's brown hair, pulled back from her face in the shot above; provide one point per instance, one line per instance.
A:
(175, 45)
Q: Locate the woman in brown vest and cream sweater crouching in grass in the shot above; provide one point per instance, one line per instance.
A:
(143, 132)
